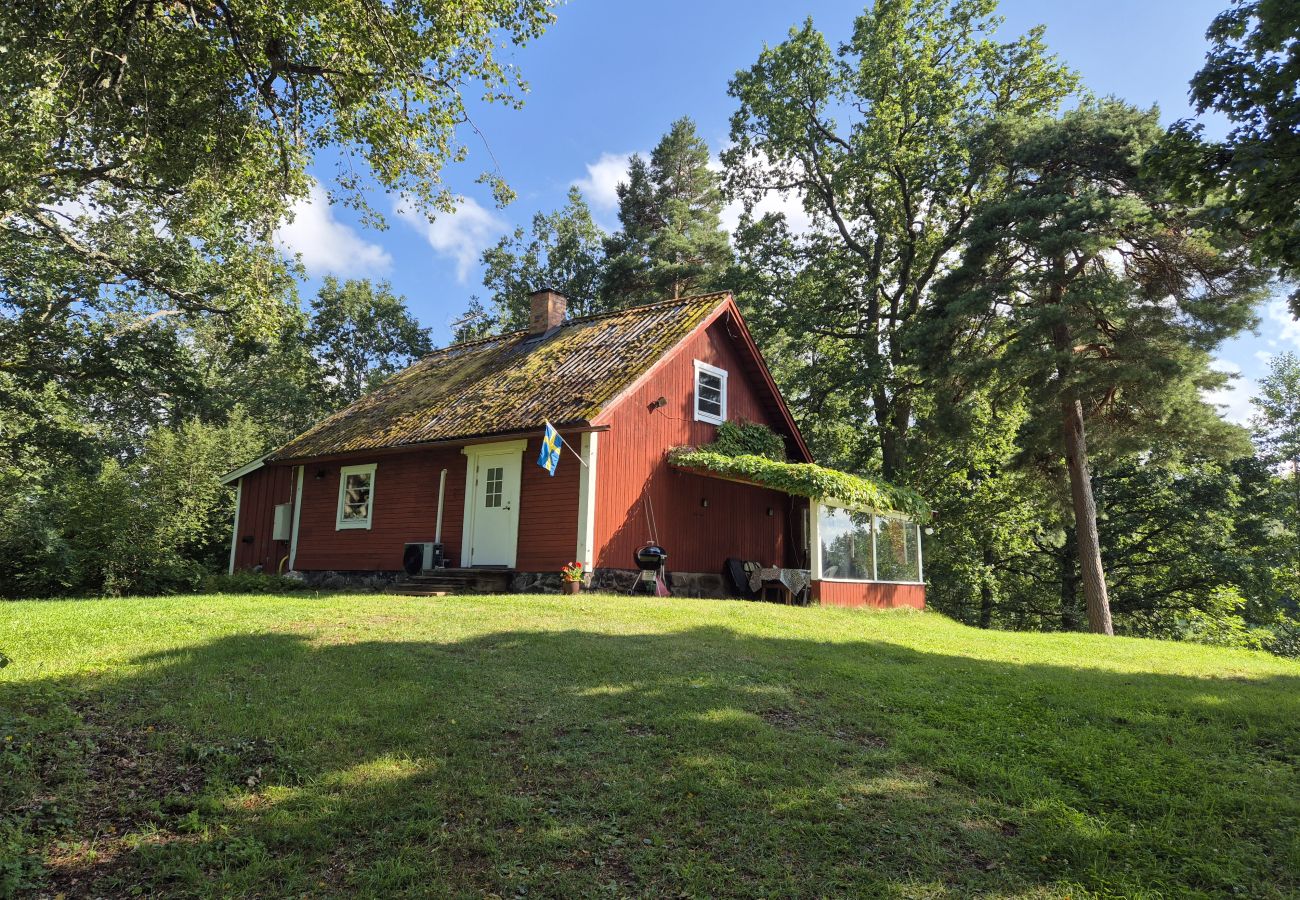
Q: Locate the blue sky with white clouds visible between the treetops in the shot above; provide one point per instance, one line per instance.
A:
(609, 79)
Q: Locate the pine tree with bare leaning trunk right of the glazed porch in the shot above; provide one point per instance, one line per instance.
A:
(1100, 293)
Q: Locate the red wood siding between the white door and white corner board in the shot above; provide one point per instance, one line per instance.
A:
(548, 509)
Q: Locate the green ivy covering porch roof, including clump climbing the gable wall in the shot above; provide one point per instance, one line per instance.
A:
(756, 453)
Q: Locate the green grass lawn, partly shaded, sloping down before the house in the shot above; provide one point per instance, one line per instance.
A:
(610, 746)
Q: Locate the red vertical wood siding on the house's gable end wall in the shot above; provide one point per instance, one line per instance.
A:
(634, 470)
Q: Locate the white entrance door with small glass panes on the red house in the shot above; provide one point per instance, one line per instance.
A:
(492, 514)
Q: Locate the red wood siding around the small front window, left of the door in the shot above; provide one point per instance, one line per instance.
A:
(406, 512)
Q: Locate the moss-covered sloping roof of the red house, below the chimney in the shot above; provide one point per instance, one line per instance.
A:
(509, 384)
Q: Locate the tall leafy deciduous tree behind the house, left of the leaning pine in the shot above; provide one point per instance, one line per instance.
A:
(890, 179)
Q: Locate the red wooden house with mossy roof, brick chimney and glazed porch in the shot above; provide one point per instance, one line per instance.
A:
(445, 453)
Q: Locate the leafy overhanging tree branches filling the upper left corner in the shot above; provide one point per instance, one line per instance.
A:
(153, 150)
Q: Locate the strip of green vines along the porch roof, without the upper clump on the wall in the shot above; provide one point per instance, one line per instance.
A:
(804, 481)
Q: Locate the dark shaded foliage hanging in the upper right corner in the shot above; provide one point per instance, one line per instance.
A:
(1250, 79)
